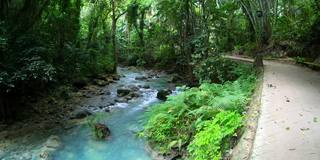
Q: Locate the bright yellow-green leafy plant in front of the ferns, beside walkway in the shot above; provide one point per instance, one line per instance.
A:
(211, 134)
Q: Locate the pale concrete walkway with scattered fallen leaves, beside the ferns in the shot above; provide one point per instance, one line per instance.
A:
(289, 124)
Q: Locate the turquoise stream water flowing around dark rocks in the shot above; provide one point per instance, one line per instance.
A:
(124, 121)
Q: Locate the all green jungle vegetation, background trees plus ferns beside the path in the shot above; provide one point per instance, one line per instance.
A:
(49, 43)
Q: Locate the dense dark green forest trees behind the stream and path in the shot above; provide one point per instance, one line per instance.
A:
(45, 42)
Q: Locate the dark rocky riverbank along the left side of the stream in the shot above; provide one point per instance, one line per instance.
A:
(43, 117)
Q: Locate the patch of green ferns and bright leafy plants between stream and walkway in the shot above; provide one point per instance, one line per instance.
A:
(189, 115)
